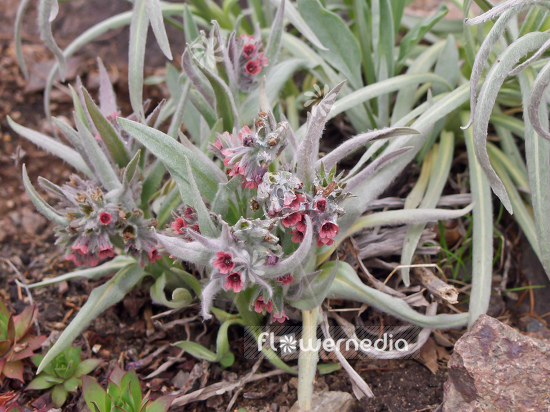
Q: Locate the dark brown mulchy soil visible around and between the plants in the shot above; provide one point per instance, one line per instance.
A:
(127, 335)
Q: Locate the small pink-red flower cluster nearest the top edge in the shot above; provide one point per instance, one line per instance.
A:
(251, 60)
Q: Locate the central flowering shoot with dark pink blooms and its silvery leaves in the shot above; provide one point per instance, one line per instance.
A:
(261, 236)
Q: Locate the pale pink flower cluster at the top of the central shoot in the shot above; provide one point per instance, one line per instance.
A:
(249, 153)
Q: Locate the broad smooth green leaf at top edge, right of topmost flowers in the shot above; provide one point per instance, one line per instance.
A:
(343, 50)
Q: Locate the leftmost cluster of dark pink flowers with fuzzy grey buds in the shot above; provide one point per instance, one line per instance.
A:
(95, 221)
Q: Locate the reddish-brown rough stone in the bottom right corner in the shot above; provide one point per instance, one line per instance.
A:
(496, 368)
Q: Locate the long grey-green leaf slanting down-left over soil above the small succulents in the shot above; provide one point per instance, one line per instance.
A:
(101, 298)
